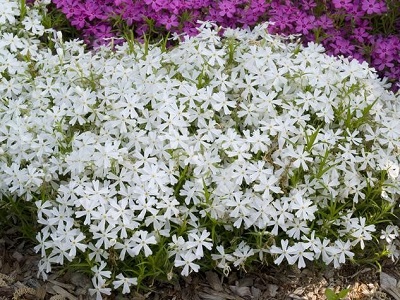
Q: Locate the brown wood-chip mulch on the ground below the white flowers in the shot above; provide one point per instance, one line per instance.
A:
(18, 281)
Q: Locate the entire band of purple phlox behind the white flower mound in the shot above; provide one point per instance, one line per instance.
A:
(353, 28)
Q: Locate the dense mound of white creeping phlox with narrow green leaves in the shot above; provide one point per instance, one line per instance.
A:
(223, 152)
